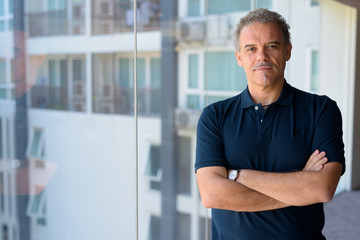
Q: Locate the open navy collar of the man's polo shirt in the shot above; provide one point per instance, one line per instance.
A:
(286, 97)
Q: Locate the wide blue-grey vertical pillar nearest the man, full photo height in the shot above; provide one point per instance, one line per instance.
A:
(168, 133)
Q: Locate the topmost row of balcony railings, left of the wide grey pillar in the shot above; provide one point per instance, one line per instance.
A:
(108, 17)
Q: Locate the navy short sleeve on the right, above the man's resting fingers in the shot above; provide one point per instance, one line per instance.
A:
(328, 134)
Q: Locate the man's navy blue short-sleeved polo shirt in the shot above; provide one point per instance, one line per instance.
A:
(237, 133)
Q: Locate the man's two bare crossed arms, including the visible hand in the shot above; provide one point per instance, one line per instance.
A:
(259, 191)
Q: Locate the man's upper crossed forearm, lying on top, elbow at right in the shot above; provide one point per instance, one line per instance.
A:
(296, 188)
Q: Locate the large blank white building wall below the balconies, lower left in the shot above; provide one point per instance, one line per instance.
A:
(92, 194)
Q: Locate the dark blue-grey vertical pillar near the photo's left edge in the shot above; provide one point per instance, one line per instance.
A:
(21, 119)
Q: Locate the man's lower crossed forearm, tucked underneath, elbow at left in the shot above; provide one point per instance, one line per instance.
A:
(219, 192)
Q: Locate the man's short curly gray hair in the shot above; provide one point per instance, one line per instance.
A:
(261, 15)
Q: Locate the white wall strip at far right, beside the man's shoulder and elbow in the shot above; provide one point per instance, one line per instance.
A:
(337, 68)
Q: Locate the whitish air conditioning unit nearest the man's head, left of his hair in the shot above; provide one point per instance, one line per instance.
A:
(219, 28)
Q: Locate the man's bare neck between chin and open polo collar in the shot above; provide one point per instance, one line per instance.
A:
(266, 94)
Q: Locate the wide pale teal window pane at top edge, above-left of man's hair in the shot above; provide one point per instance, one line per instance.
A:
(226, 6)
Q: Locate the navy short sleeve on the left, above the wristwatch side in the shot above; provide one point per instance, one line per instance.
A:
(209, 143)
